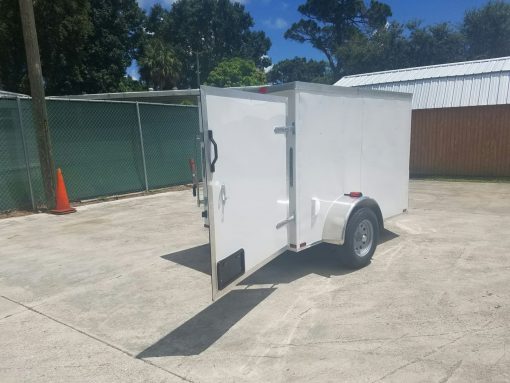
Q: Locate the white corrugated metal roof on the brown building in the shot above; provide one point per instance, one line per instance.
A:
(471, 83)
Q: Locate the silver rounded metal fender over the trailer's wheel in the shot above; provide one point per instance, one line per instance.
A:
(339, 213)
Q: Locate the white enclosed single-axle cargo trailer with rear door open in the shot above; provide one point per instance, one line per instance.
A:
(299, 164)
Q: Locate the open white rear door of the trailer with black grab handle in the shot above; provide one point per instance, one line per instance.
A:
(246, 181)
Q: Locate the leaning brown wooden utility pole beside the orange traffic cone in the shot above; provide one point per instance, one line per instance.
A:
(38, 102)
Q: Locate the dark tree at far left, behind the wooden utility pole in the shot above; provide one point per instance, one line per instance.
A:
(63, 26)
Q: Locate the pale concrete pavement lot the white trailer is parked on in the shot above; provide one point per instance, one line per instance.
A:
(120, 292)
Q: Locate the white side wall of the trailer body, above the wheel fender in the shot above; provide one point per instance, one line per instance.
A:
(346, 140)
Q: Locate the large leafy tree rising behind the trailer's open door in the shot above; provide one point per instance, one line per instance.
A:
(214, 30)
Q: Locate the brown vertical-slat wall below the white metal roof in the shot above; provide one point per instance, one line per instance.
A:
(468, 141)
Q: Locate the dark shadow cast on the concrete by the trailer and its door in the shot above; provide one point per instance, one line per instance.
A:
(202, 330)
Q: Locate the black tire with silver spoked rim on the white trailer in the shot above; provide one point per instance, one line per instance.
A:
(361, 238)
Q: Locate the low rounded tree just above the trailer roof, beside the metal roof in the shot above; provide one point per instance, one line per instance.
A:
(299, 69)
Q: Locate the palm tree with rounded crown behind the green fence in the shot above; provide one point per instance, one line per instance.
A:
(159, 67)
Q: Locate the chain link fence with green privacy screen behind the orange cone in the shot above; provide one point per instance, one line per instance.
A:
(103, 147)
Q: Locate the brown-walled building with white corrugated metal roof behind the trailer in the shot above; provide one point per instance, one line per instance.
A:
(461, 115)
